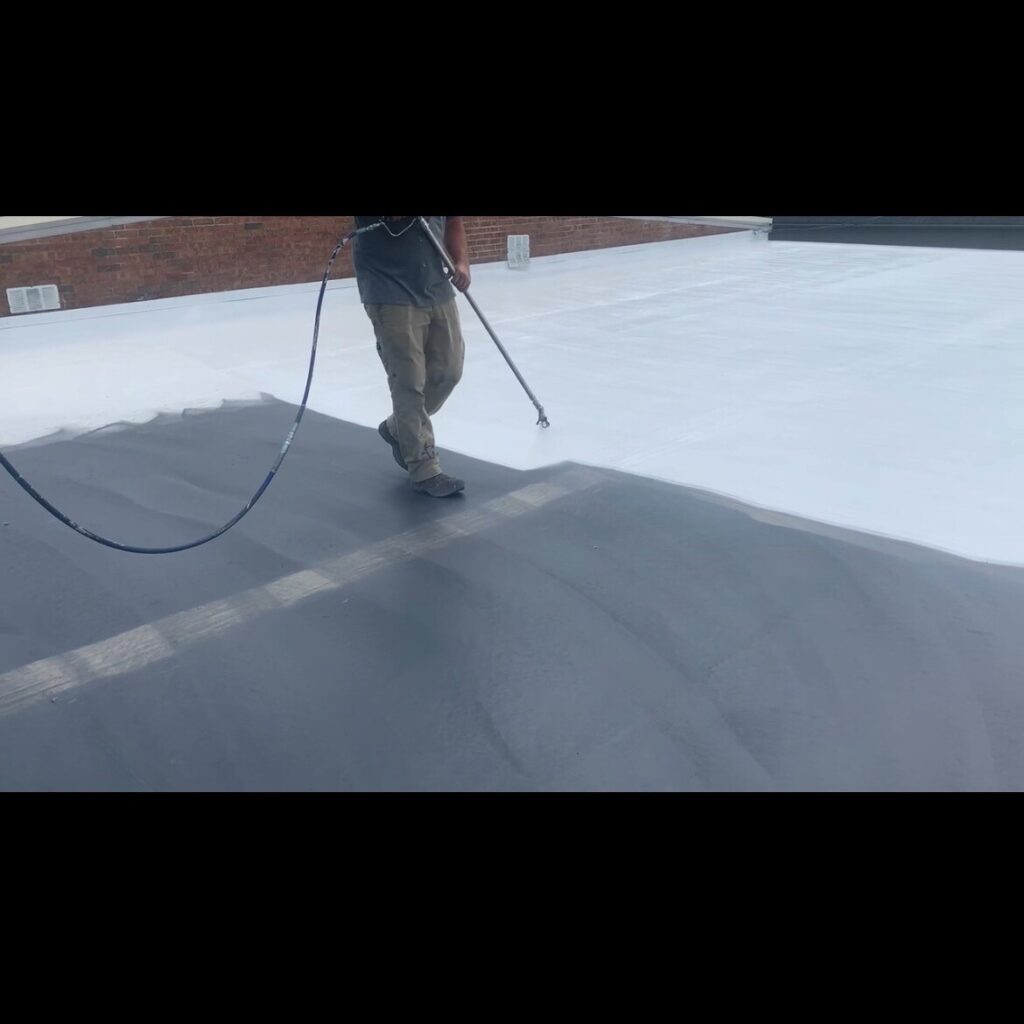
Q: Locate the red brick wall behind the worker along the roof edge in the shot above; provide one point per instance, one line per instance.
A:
(189, 255)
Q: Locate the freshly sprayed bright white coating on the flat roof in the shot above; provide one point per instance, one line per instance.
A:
(873, 388)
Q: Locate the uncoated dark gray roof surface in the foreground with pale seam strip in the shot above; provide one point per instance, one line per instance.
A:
(594, 631)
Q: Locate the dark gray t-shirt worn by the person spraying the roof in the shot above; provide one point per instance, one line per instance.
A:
(401, 272)
